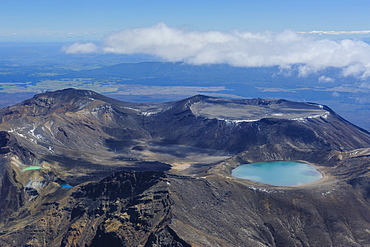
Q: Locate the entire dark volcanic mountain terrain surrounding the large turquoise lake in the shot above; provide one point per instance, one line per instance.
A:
(81, 169)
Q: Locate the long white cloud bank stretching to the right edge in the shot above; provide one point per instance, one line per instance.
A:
(243, 49)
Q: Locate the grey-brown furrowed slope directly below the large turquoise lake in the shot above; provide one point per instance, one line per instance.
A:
(226, 212)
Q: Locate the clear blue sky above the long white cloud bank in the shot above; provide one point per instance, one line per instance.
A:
(66, 20)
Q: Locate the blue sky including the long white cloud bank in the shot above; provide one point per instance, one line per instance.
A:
(236, 32)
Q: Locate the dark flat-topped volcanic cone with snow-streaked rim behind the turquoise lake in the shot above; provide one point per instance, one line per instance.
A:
(206, 122)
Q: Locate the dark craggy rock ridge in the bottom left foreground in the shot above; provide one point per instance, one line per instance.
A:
(125, 209)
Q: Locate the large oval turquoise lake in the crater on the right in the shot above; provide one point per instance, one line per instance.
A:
(280, 173)
